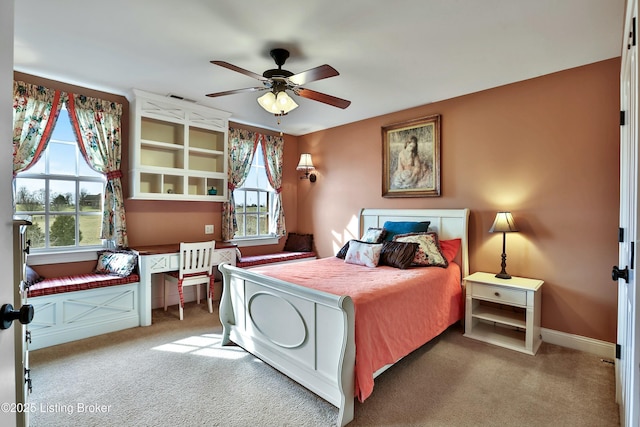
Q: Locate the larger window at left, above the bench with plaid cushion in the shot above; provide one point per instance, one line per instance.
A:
(62, 194)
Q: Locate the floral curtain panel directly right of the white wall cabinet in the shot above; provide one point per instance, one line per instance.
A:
(242, 145)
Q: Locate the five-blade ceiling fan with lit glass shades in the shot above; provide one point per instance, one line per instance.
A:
(278, 81)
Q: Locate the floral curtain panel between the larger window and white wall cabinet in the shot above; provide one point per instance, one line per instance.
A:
(97, 126)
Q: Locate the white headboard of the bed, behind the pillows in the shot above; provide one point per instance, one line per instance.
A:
(448, 223)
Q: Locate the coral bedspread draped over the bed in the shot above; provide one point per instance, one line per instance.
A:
(396, 311)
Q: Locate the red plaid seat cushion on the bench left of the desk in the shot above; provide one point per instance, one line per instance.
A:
(78, 282)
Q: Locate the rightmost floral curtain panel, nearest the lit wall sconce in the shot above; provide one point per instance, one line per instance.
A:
(273, 150)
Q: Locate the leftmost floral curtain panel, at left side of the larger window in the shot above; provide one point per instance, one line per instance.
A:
(35, 111)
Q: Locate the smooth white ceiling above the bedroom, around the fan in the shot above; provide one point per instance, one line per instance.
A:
(391, 55)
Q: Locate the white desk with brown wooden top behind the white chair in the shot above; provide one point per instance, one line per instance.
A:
(161, 258)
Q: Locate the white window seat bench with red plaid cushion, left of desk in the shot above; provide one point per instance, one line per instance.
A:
(81, 306)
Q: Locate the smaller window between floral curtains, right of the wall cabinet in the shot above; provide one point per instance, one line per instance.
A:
(254, 201)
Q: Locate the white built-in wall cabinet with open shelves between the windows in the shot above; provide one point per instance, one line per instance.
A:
(178, 150)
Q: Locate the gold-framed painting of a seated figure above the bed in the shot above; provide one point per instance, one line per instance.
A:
(411, 158)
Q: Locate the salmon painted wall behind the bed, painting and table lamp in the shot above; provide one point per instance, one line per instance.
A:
(545, 149)
